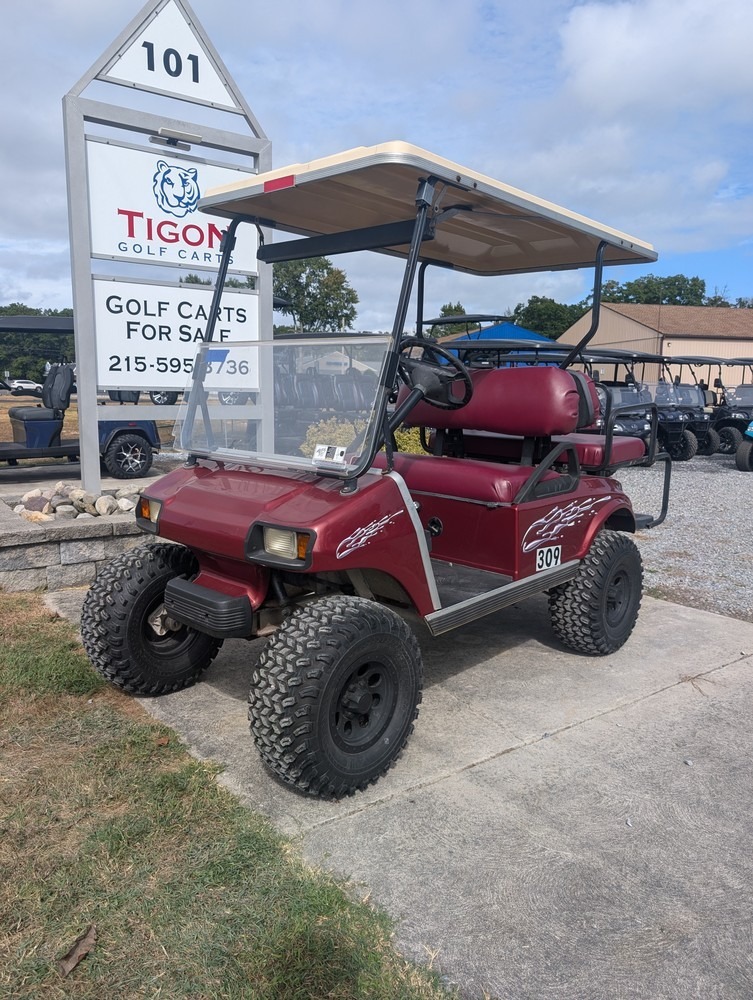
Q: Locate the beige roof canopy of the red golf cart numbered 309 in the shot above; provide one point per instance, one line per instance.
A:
(482, 225)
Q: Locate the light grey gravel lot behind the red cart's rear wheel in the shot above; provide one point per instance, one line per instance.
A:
(702, 555)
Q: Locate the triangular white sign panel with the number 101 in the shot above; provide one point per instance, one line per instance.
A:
(168, 57)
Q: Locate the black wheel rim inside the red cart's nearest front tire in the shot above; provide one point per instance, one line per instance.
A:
(364, 706)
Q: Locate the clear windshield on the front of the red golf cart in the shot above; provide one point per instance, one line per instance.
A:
(302, 404)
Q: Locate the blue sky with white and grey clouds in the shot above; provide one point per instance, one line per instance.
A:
(638, 114)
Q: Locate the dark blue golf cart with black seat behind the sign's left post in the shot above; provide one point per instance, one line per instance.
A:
(126, 447)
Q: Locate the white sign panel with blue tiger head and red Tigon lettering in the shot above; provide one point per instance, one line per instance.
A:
(144, 208)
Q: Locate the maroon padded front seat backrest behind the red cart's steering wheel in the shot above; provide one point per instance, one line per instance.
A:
(536, 401)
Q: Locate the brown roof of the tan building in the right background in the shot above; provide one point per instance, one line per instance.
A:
(689, 321)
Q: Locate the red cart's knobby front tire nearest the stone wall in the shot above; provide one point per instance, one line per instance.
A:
(120, 643)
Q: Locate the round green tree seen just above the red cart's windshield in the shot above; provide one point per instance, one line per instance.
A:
(317, 294)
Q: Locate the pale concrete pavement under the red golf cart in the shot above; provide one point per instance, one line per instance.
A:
(559, 826)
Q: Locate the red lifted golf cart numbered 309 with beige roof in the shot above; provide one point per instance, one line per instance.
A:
(321, 544)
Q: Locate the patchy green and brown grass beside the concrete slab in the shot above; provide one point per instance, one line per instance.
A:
(106, 820)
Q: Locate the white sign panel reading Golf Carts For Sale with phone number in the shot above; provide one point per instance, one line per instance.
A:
(148, 335)
